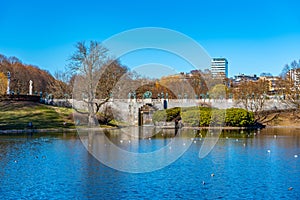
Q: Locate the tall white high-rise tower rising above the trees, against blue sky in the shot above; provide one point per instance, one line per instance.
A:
(219, 68)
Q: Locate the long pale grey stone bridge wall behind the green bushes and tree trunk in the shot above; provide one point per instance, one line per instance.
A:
(129, 110)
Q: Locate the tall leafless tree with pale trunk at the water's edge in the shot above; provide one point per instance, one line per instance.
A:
(87, 62)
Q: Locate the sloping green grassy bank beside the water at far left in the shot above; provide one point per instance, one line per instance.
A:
(17, 115)
